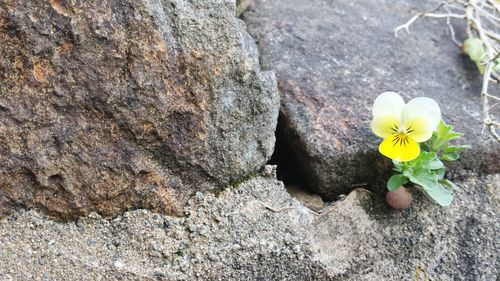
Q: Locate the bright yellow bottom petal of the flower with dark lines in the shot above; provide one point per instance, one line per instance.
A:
(399, 147)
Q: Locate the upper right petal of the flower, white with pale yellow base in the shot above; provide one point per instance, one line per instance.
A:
(423, 113)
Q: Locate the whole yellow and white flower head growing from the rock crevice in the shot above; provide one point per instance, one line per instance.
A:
(403, 125)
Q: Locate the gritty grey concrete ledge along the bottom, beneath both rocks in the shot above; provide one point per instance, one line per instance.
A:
(258, 232)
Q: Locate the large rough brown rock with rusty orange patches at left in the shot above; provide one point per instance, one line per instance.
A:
(111, 105)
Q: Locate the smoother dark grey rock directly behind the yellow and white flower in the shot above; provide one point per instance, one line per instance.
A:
(332, 58)
